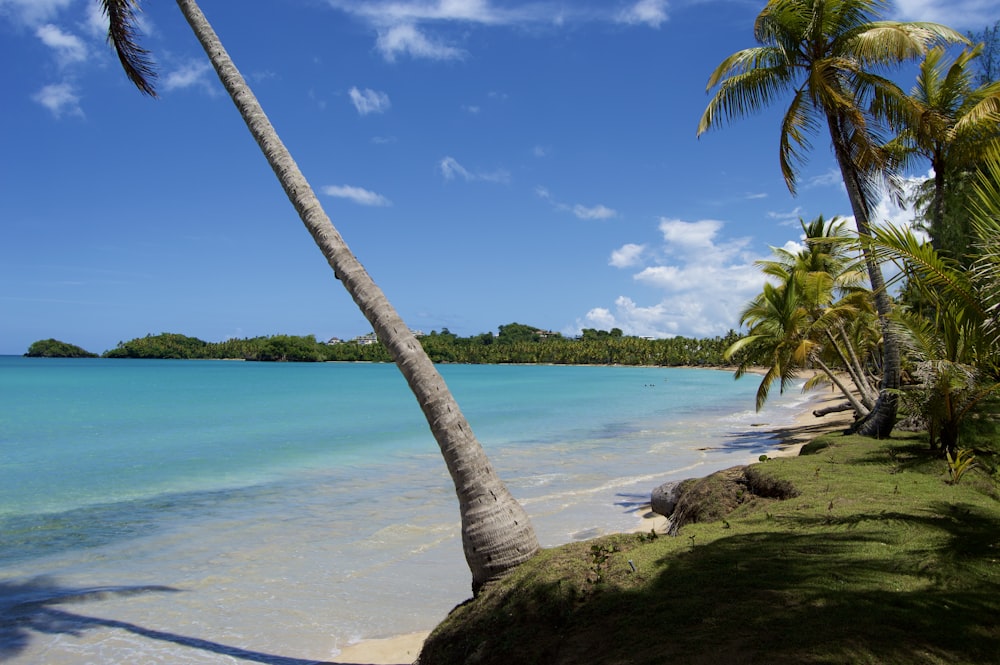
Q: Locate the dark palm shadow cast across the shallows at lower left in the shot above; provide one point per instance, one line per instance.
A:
(33, 607)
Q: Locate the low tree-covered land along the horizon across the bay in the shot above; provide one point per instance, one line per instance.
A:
(515, 343)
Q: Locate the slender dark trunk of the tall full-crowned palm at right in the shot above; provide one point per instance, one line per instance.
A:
(882, 419)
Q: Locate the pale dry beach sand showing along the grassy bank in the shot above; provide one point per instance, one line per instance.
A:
(789, 440)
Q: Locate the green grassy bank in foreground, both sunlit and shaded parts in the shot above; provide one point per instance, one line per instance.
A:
(879, 559)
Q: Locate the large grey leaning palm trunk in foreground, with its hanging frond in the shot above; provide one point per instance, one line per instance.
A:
(496, 532)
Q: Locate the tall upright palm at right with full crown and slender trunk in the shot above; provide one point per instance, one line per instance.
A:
(825, 53)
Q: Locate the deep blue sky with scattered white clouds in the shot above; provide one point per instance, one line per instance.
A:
(488, 162)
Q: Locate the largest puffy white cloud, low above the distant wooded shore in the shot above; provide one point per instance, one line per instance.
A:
(702, 279)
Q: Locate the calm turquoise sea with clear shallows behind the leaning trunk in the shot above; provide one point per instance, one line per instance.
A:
(229, 512)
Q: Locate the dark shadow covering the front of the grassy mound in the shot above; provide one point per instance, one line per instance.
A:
(770, 597)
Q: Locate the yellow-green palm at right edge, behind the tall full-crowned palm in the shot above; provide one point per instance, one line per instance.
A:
(953, 125)
